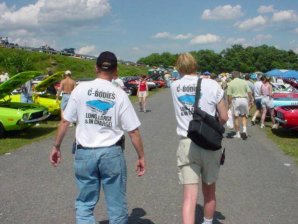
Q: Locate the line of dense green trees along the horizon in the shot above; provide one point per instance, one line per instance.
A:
(237, 58)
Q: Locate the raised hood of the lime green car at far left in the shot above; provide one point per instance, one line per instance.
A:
(16, 81)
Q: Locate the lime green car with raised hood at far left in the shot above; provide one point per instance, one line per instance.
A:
(16, 115)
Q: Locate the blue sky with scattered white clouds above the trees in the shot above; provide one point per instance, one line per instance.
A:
(136, 28)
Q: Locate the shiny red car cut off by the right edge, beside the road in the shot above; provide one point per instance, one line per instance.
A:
(287, 116)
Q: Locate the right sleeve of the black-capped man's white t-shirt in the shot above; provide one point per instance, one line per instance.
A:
(128, 118)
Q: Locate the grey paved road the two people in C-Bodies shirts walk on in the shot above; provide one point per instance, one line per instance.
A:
(258, 184)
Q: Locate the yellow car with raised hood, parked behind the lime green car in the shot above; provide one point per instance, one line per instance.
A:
(41, 97)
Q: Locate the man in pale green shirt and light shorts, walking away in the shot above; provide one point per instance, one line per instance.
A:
(239, 99)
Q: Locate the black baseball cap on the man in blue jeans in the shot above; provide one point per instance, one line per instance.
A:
(107, 61)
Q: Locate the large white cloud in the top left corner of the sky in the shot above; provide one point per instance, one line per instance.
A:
(44, 13)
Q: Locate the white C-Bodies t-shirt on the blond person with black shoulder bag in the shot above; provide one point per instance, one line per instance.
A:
(183, 93)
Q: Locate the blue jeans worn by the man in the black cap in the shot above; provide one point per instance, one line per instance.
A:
(104, 166)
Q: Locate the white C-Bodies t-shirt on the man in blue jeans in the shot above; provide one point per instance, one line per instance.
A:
(102, 111)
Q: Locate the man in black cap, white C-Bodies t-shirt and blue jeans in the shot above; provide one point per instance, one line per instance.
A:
(102, 111)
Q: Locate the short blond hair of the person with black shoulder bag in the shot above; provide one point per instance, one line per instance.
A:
(186, 64)
